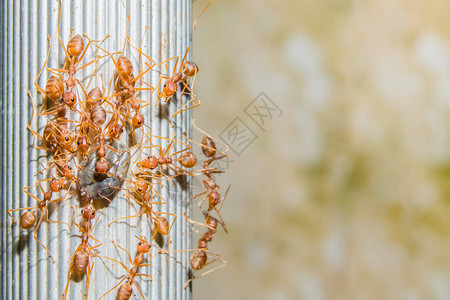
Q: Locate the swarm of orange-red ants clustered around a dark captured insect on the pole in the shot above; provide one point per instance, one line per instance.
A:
(93, 140)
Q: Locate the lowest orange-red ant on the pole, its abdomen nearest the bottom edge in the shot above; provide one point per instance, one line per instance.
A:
(125, 290)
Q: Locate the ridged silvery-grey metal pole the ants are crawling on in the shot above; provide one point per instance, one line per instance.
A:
(27, 272)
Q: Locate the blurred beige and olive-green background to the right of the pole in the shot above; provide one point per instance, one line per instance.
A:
(346, 194)
